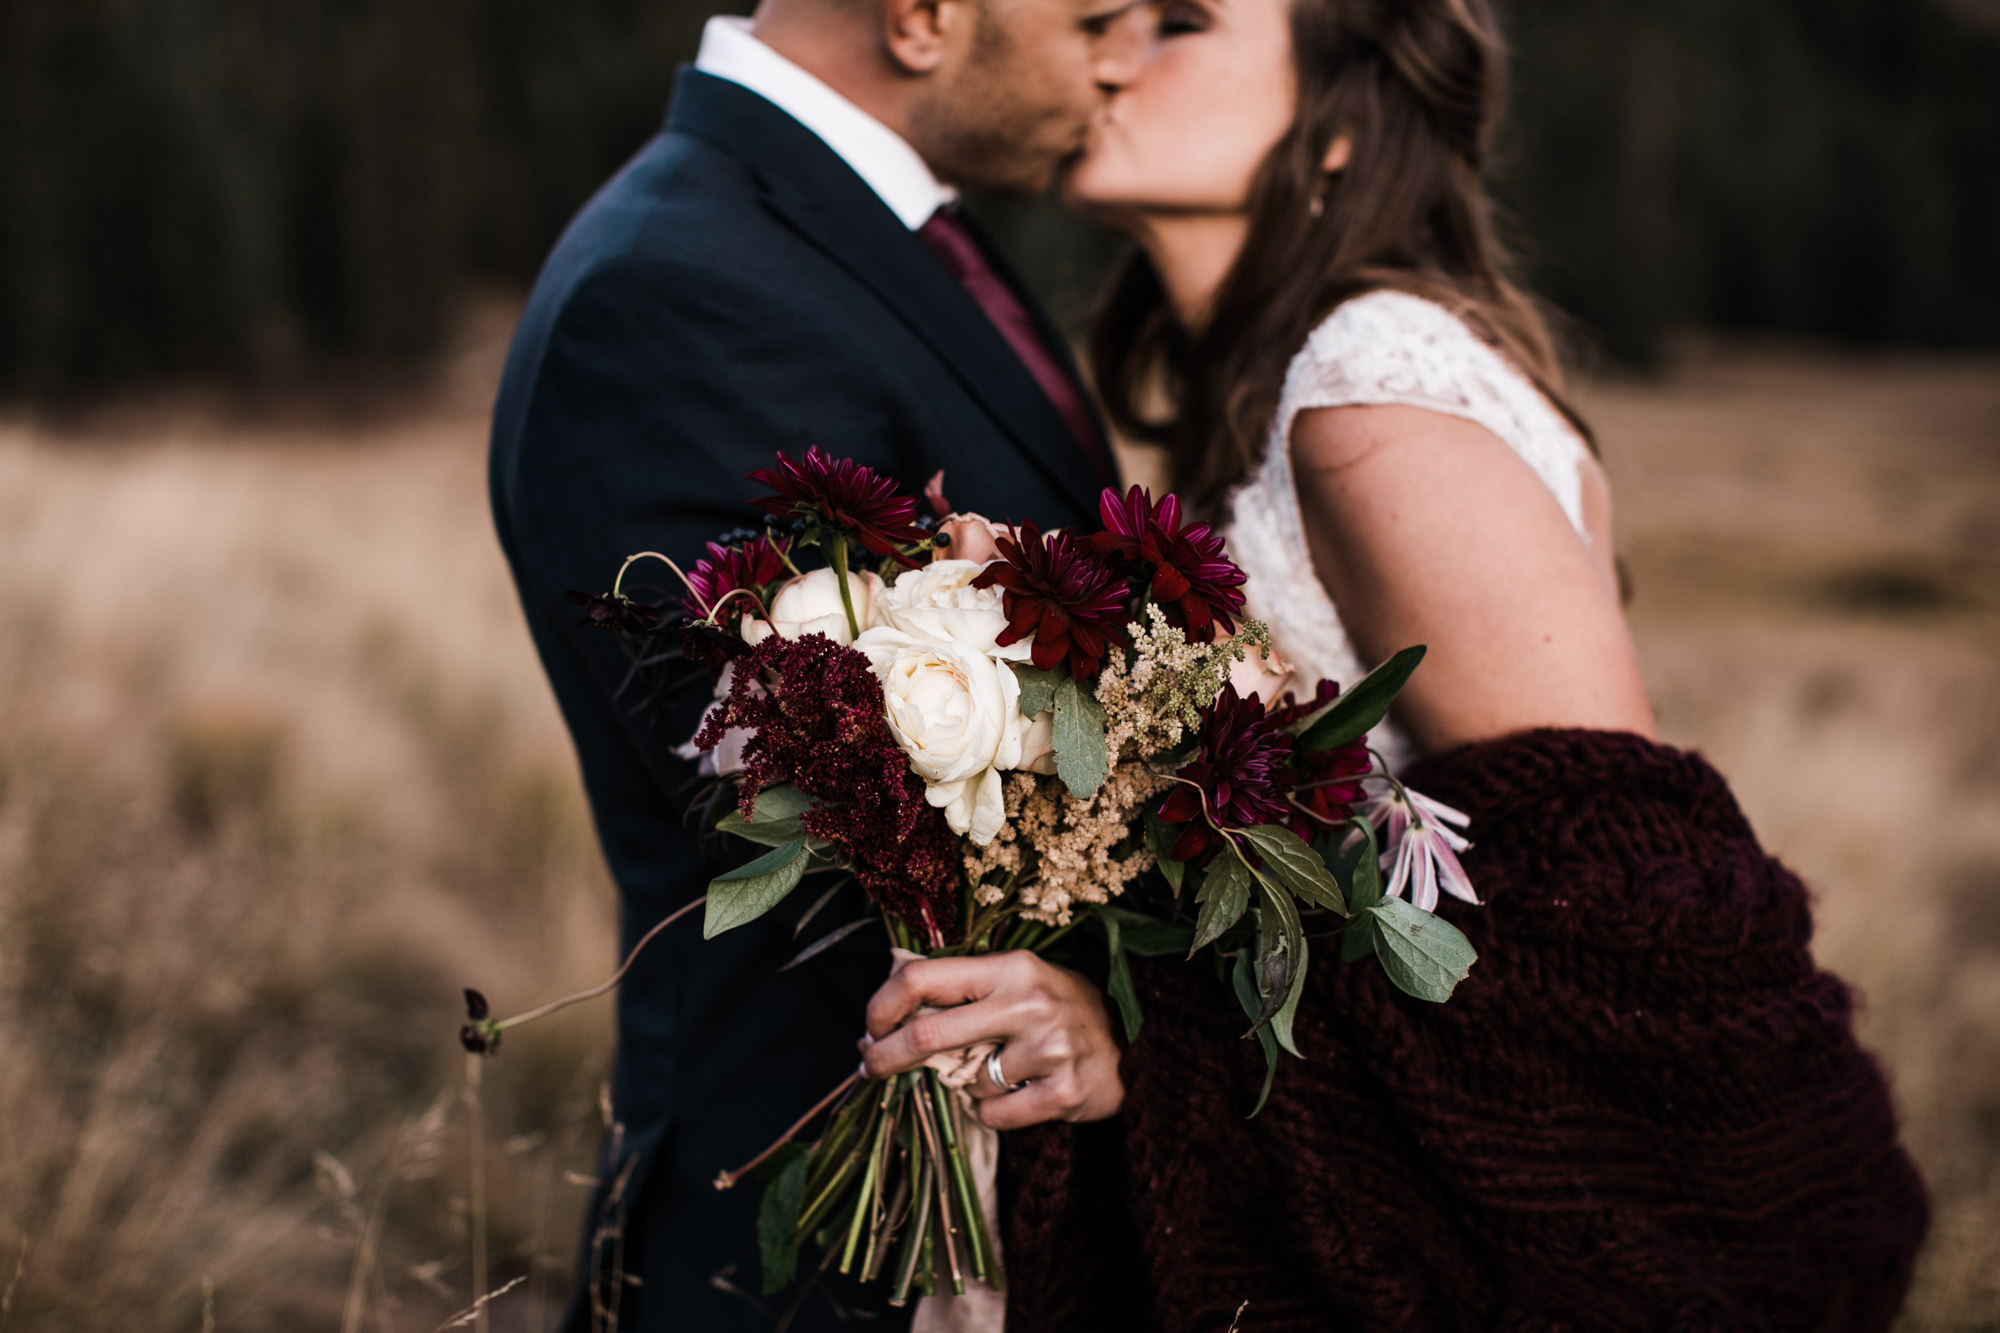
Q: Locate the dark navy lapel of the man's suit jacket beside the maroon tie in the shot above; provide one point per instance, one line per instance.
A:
(835, 211)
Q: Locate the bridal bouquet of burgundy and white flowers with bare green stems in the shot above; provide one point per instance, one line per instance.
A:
(1009, 736)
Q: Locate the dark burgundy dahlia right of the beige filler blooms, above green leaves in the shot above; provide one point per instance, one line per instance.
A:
(1241, 776)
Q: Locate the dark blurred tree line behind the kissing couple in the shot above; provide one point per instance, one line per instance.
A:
(249, 189)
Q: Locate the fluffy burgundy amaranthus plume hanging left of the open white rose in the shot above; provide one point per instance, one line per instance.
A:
(817, 712)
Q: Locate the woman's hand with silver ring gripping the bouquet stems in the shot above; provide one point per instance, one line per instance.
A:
(1051, 1024)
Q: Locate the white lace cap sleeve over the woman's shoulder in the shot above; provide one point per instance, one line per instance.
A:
(1391, 349)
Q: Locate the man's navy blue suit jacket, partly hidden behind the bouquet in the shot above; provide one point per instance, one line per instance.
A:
(735, 291)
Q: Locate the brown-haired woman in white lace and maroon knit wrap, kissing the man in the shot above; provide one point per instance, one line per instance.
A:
(1645, 1108)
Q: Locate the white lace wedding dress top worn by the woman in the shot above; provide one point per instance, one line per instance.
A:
(1385, 349)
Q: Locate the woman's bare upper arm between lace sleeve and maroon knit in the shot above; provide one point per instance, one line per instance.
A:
(1429, 529)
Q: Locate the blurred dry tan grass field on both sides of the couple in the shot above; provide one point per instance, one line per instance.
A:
(279, 774)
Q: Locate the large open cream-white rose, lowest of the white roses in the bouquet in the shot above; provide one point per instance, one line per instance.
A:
(957, 716)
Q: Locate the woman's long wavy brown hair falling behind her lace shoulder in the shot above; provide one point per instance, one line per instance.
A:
(1417, 87)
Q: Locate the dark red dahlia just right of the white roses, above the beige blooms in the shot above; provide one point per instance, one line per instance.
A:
(1063, 597)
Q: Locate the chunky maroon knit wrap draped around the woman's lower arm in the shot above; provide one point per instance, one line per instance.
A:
(1645, 1110)
